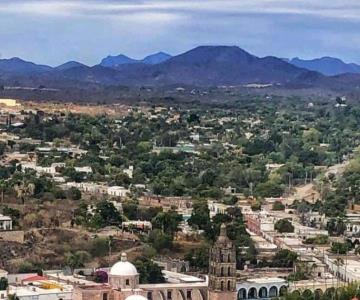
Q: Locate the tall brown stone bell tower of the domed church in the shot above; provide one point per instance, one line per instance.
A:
(222, 268)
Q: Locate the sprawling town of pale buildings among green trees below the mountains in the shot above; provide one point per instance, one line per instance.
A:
(179, 202)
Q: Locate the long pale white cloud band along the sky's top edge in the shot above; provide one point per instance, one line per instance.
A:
(340, 9)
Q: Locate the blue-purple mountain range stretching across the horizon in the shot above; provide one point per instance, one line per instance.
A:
(201, 66)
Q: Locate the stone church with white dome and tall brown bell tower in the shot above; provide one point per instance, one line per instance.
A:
(124, 280)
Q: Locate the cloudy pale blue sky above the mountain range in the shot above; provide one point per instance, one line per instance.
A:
(53, 32)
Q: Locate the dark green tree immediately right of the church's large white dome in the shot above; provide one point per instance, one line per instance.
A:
(149, 271)
